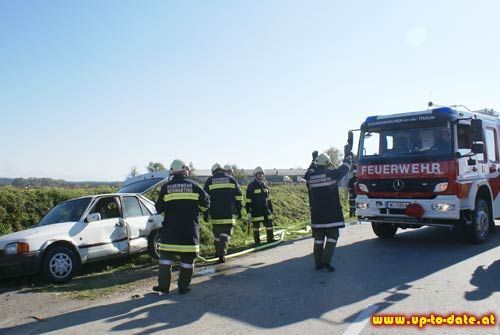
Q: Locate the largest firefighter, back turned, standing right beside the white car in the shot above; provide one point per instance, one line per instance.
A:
(181, 200)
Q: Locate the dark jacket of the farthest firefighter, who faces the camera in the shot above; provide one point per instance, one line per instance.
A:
(258, 201)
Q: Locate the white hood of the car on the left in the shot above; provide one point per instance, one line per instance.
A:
(43, 232)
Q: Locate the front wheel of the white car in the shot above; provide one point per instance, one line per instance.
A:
(59, 265)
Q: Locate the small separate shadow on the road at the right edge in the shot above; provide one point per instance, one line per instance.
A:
(487, 281)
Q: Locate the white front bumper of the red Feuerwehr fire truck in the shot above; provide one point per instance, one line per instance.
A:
(377, 210)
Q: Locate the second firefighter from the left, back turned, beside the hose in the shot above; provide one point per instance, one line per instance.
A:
(225, 207)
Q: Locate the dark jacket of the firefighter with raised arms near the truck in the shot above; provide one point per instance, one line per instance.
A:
(324, 200)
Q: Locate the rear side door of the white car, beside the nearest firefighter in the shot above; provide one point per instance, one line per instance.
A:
(138, 221)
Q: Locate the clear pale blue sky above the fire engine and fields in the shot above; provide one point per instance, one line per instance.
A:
(89, 89)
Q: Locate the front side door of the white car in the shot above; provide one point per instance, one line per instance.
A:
(107, 236)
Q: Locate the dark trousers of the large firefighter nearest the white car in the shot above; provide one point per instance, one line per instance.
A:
(165, 269)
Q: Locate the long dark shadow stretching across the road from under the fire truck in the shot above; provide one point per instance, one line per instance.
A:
(276, 295)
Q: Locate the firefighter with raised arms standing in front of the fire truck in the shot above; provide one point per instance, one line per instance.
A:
(326, 211)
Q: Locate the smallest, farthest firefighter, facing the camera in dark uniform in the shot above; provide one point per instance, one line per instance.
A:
(259, 206)
